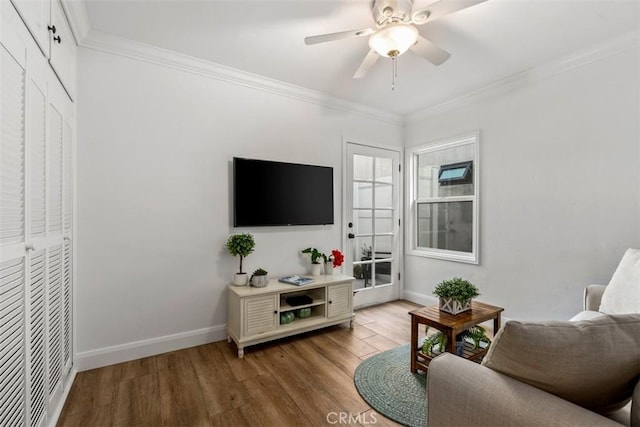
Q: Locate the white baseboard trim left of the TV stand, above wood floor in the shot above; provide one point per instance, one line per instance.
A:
(106, 356)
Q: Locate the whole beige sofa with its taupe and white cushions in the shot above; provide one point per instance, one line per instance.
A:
(552, 373)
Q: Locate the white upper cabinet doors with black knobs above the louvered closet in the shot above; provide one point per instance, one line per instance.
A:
(48, 25)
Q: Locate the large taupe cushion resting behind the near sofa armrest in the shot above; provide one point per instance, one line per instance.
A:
(592, 363)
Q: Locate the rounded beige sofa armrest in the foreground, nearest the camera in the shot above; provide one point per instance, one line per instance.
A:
(464, 393)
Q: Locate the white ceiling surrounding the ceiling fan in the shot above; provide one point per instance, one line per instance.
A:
(488, 42)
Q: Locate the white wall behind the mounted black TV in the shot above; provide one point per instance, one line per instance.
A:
(154, 152)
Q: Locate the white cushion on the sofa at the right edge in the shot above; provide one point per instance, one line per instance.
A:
(622, 295)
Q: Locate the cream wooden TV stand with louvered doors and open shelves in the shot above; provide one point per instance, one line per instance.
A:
(254, 313)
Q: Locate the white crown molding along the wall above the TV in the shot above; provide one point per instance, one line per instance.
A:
(143, 52)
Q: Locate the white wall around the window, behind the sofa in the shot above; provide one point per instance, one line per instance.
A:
(559, 187)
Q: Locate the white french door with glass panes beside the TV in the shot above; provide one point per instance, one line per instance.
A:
(372, 222)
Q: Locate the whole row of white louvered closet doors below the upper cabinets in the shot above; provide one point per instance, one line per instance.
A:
(35, 230)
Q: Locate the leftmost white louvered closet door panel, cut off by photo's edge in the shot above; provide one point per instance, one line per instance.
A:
(12, 234)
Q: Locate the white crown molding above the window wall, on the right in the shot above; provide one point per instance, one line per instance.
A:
(578, 59)
